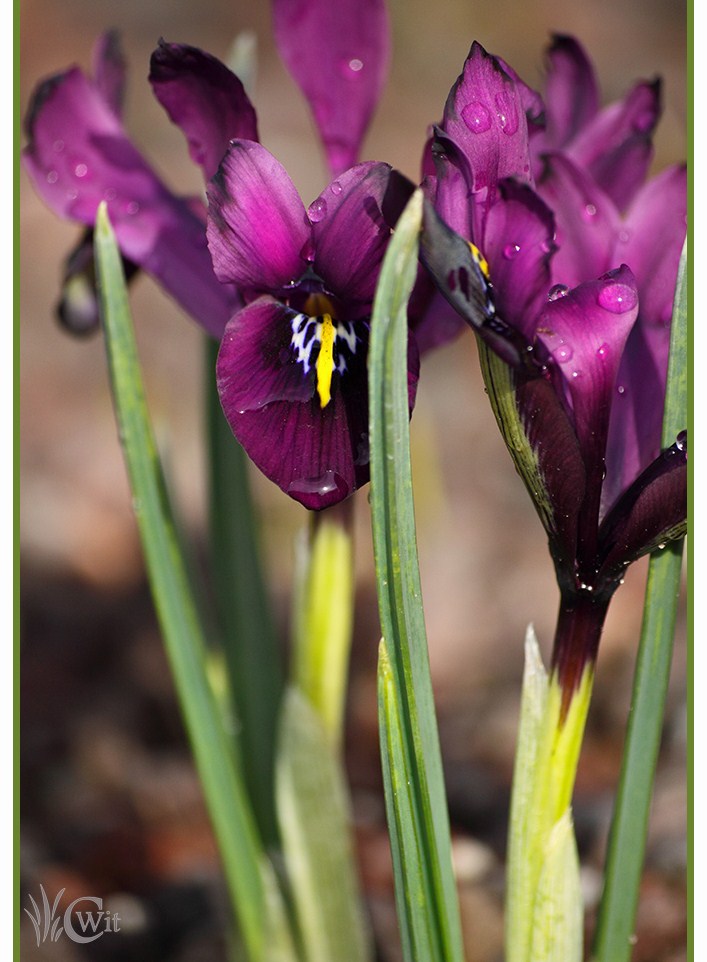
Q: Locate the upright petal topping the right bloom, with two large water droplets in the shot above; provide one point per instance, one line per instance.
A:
(485, 117)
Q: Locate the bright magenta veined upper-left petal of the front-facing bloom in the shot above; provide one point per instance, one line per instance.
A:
(258, 230)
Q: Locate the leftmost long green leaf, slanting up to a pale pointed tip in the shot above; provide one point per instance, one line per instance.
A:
(244, 864)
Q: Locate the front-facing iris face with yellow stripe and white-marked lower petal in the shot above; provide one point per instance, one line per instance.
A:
(291, 371)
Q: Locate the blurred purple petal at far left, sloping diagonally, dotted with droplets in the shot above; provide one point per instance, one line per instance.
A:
(78, 155)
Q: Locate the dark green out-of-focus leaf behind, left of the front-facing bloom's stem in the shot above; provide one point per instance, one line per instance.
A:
(249, 640)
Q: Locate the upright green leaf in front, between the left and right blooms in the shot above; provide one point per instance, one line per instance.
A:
(409, 738)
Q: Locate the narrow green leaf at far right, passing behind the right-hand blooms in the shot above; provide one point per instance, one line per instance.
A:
(628, 832)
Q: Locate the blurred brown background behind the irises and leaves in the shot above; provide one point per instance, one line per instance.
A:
(110, 802)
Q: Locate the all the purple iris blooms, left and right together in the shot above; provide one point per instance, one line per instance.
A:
(541, 230)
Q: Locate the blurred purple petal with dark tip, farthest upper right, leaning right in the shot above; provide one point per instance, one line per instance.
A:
(616, 147)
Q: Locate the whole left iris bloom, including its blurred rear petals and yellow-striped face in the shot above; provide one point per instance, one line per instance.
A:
(295, 288)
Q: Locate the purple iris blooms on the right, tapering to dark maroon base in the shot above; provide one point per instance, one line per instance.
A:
(575, 328)
